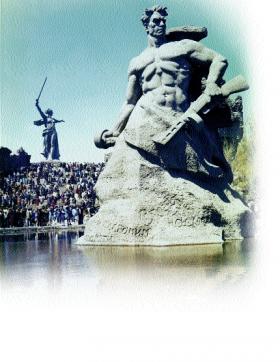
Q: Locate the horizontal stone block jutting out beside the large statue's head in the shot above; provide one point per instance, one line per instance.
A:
(186, 32)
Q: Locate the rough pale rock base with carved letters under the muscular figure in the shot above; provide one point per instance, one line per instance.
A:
(143, 204)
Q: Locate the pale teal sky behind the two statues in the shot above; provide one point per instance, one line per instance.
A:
(84, 48)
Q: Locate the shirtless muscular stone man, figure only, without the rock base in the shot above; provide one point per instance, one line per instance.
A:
(159, 92)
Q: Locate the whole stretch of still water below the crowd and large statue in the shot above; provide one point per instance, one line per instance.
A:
(54, 259)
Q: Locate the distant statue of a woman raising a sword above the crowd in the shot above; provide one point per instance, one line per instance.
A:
(50, 143)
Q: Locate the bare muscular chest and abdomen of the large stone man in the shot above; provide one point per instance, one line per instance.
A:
(164, 74)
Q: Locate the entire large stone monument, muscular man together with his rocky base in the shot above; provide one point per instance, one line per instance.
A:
(177, 191)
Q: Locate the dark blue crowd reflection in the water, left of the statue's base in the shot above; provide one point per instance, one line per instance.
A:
(33, 257)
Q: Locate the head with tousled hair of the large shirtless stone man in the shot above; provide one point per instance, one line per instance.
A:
(154, 21)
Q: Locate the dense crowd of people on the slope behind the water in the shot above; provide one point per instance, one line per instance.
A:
(49, 194)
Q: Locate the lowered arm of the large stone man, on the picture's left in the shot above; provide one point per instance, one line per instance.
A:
(134, 91)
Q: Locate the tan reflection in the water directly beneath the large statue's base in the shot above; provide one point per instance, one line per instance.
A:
(179, 265)
